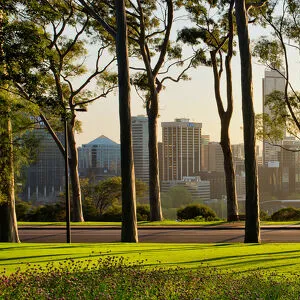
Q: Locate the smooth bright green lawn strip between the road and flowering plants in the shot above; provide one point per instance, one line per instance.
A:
(281, 258)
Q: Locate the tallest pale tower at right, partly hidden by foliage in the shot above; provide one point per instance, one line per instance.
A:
(273, 81)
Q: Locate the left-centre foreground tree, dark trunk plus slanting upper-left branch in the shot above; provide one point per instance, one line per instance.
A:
(99, 11)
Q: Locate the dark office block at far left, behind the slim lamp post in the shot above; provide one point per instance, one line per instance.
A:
(45, 178)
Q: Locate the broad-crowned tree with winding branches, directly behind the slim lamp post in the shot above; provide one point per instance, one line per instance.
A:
(62, 82)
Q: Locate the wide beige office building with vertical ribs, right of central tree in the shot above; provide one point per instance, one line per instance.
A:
(181, 149)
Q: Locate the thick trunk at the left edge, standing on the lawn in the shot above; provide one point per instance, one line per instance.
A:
(8, 219)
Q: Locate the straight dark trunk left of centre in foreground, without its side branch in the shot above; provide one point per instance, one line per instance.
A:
(129, 222)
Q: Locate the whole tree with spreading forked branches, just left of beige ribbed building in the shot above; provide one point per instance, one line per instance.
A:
(150, 24)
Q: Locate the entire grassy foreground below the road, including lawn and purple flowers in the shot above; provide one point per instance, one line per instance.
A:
(149, 271)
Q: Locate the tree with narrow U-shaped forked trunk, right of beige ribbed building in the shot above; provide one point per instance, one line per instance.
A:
(214, 30)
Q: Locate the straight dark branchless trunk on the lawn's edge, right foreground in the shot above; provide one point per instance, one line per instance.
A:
(252, 228)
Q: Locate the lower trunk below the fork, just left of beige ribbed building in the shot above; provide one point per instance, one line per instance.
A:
(154, 186)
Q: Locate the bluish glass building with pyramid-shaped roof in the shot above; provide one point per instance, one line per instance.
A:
(99, 158)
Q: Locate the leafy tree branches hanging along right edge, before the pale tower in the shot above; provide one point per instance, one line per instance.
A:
(282, 18)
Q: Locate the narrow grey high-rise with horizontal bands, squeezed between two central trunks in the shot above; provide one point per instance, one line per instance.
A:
(140, 138)
